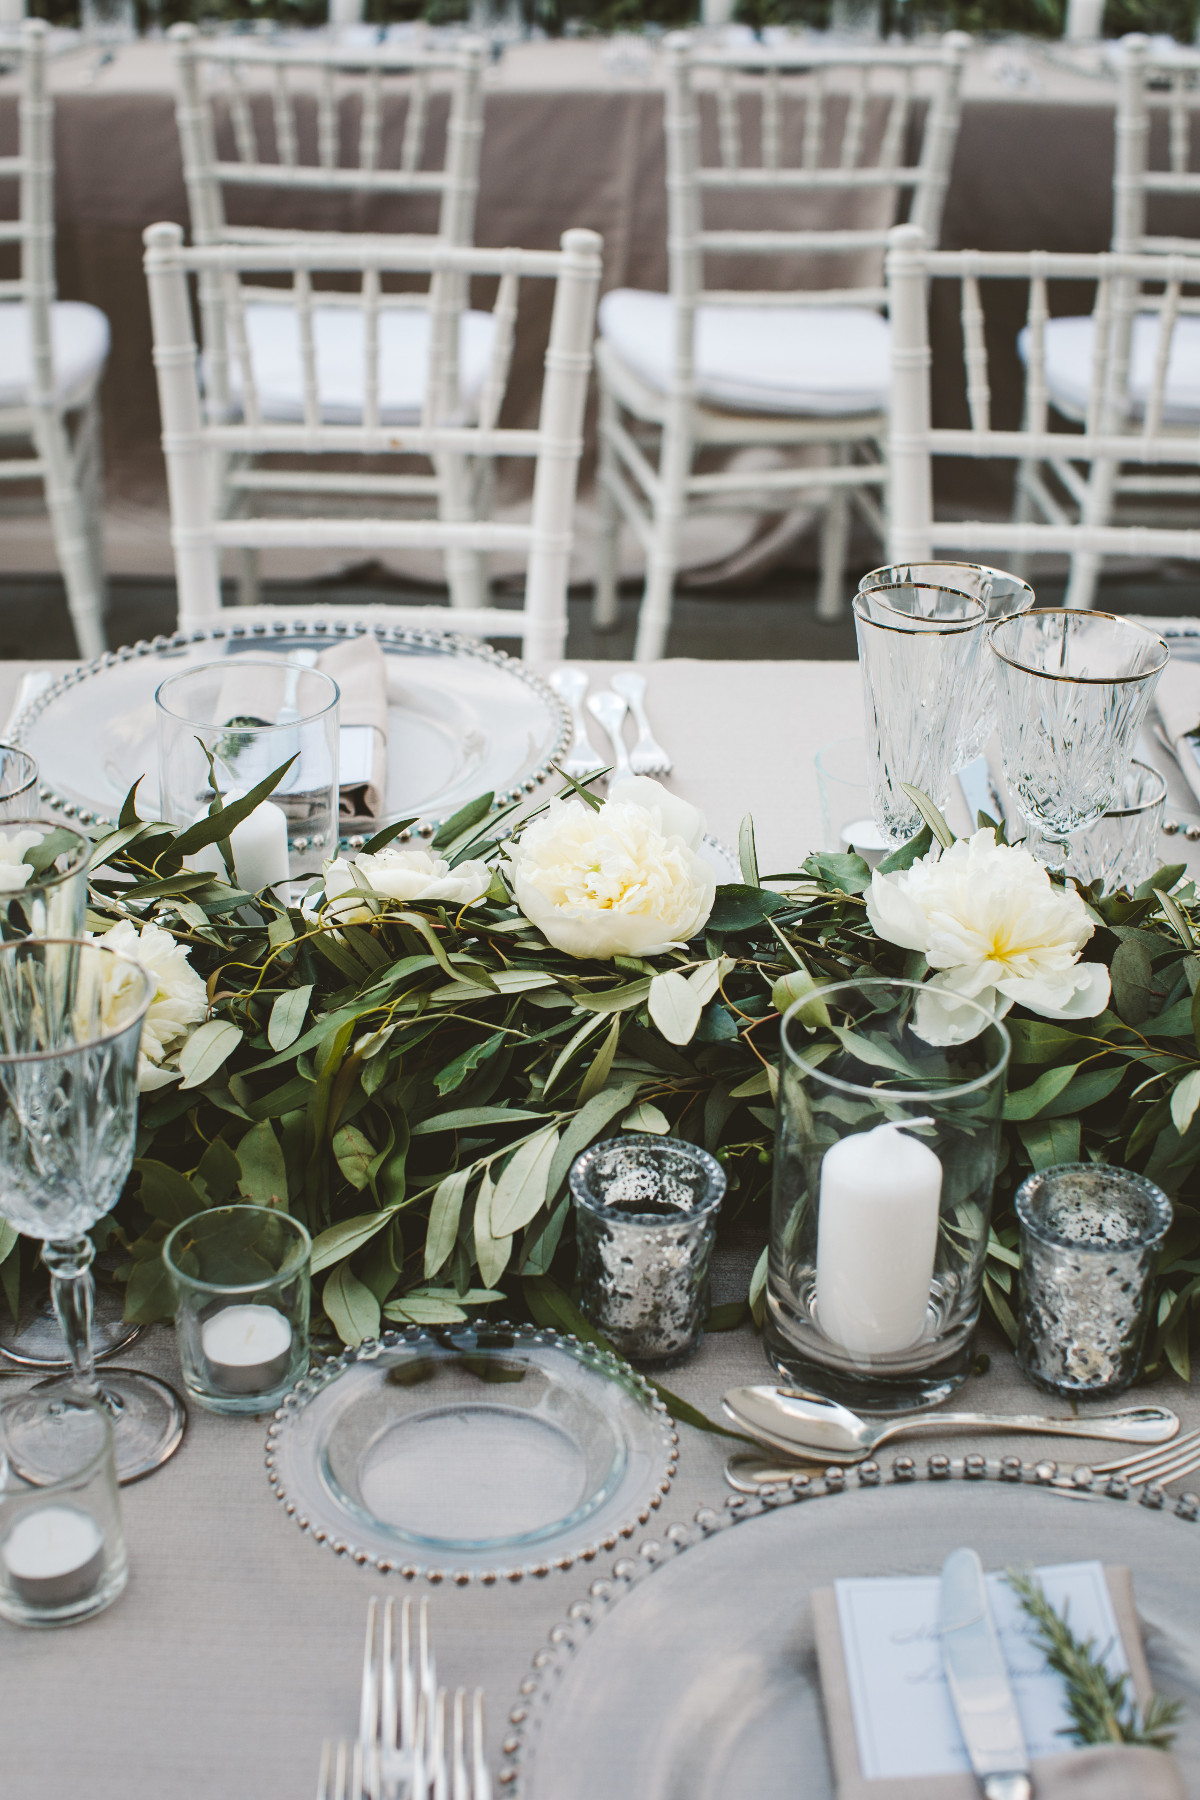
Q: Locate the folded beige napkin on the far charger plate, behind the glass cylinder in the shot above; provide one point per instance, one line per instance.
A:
(361, 672)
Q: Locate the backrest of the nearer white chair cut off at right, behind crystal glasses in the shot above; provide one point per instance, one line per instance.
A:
(1115, 426)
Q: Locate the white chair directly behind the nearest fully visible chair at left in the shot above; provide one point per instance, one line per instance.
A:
(325, 123)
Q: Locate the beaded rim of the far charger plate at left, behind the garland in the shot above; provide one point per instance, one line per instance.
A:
(332, 627)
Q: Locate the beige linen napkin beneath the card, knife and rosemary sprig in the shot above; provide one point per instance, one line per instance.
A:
(1118, 1772)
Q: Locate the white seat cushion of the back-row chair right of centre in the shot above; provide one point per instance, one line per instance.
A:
(760, 359)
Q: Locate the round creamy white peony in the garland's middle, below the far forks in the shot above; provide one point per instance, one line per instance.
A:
(625, 881)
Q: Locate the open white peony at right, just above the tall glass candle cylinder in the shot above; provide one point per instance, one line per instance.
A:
(994, 926)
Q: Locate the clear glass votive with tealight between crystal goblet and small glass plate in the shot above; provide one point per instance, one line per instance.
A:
(242, 1300)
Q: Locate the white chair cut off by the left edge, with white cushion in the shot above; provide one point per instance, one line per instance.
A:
(53, 357)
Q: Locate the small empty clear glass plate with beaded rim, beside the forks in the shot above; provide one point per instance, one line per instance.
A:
(467, 1453)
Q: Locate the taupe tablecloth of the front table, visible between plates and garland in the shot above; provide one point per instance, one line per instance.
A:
(237, 1646)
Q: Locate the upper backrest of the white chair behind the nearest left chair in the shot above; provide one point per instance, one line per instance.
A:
(323, 121)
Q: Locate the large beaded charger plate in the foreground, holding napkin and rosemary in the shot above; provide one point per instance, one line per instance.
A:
(690, 1673)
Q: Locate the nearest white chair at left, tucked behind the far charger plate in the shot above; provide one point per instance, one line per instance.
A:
(195, 440)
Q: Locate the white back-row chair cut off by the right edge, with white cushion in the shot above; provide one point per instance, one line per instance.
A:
(1059, 489)
